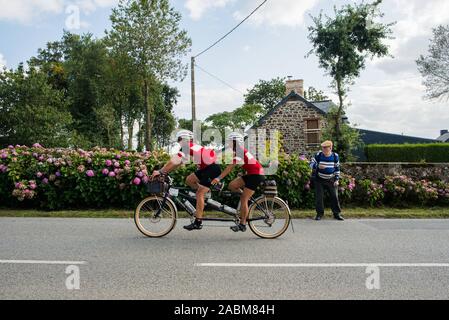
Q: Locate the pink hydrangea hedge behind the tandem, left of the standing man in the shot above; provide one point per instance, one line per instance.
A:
(57, 179)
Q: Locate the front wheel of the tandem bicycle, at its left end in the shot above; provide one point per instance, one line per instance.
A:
(154, 217)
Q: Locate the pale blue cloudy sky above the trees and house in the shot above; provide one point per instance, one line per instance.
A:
(388, 96)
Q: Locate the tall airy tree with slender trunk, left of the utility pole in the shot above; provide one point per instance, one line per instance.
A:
(148, 31)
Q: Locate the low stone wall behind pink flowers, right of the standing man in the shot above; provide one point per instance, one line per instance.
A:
(416, 171)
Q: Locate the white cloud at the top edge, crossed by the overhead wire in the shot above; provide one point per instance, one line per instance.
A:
(289, 13)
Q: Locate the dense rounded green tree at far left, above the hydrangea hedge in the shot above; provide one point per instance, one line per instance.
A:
(32, 111)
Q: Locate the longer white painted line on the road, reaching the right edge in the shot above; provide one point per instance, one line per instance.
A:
(323, 265)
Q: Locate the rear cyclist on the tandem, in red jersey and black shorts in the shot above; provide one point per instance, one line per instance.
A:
(247, 184)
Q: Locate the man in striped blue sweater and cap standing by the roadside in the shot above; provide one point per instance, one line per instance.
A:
(326, 175)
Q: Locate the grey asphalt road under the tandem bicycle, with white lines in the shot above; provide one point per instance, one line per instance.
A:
(315, 262)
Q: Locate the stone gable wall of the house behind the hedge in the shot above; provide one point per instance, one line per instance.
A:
(290, 120)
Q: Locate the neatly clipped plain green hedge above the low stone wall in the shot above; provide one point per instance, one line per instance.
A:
(430, 153)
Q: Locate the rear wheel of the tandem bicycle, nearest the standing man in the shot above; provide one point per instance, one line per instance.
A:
(269, 218)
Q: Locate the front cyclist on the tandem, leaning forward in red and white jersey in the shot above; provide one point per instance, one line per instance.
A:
(201, 180)
